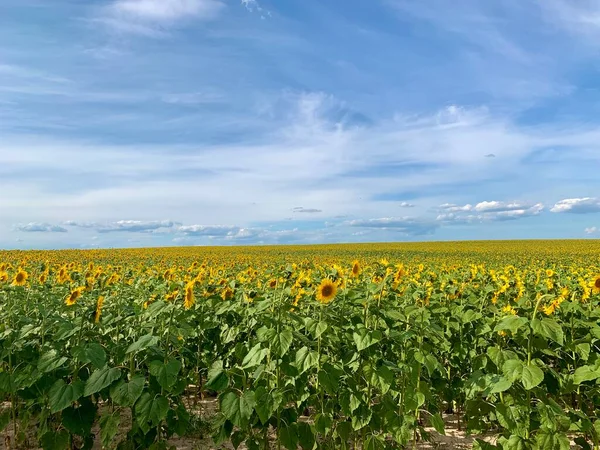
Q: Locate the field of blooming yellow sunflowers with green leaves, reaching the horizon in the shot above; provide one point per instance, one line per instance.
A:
(329, 347)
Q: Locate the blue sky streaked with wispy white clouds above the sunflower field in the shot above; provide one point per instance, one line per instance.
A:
(197, 122)
